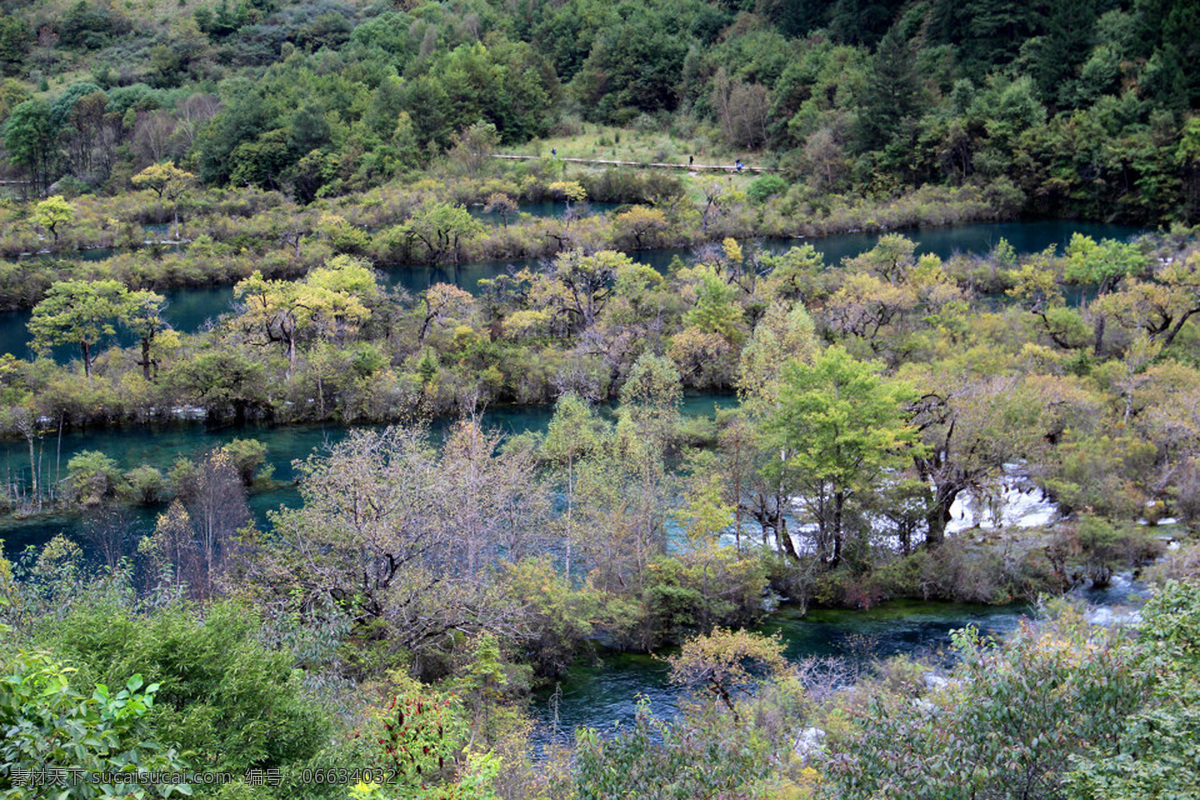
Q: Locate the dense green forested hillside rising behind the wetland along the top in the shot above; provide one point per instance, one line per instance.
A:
(1072, 109)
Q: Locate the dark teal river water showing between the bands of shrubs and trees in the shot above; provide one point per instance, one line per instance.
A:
(603, 693)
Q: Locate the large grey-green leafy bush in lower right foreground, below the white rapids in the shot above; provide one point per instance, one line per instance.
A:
(1007, 726)
